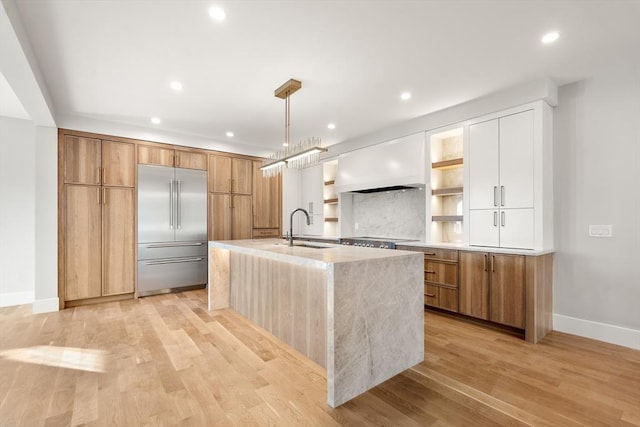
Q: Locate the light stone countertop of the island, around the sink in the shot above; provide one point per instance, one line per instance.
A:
(279, 249)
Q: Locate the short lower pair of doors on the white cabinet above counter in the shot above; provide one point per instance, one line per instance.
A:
(507, 228)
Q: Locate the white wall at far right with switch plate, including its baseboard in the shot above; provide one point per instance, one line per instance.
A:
(597, 181)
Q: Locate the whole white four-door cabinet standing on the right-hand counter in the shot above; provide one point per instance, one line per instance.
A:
(510, 179)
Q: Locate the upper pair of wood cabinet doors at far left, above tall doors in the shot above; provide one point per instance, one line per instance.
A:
(94, 161)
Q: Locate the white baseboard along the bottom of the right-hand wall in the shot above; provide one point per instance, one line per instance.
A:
(598, 331)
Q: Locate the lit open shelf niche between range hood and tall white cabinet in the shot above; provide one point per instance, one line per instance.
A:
(447, 185)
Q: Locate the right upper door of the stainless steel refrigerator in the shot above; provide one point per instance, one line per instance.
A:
(191, 205)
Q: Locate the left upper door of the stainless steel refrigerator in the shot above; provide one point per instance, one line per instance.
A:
(155, 203)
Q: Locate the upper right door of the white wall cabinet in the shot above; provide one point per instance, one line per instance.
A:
(516, 160)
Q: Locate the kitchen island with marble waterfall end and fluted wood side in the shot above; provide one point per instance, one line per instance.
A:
(356, 311)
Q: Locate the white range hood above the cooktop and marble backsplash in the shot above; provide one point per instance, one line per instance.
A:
(393, 165)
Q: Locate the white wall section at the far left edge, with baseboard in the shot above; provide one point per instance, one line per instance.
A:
(17, 211)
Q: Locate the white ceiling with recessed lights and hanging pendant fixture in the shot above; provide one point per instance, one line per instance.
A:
(113, 60)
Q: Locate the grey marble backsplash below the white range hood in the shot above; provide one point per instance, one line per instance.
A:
(392, 214)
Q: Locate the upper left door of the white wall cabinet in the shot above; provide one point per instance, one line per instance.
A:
(483, 165)
